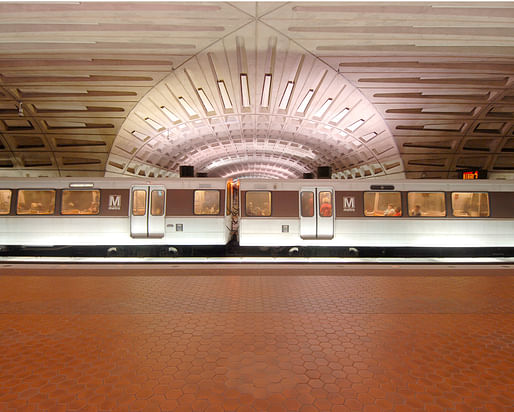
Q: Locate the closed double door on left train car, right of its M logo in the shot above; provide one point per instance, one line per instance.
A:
(147, 217)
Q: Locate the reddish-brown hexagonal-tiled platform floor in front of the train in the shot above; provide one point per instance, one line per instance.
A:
(321, 340)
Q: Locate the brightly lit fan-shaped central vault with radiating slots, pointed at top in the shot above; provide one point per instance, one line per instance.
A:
(254, 100)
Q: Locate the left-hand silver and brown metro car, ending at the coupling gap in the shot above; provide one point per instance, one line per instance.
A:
(114, 212)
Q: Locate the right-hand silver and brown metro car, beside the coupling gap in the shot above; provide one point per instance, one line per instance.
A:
(377, 213)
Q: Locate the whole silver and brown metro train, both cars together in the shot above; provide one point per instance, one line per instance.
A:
(198, 216)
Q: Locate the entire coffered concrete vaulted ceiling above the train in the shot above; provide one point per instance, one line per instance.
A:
(256, 89)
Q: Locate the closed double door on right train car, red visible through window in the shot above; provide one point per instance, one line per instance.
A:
(316, 213)
